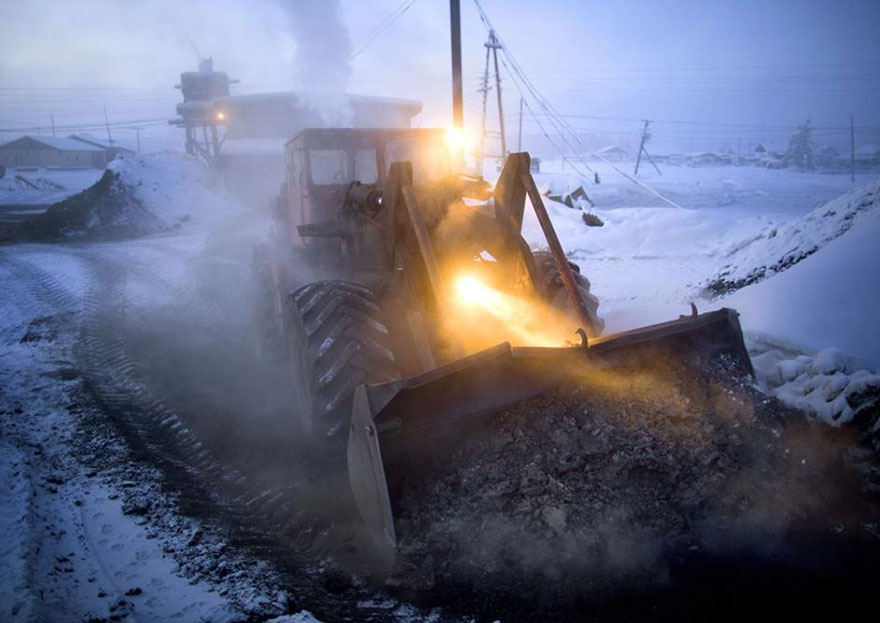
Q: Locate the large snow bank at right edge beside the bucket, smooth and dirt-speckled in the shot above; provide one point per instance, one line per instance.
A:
(820, 298)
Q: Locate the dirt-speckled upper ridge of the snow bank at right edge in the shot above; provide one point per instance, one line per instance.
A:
(778, 248)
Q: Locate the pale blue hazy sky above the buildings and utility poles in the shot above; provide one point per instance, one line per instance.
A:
(745, 63)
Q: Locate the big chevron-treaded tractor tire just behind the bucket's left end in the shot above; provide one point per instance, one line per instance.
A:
(337, 340)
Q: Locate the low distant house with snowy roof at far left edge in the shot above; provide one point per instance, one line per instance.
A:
(40, 151)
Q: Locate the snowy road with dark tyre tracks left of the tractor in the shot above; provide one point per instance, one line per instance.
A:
(126, 409)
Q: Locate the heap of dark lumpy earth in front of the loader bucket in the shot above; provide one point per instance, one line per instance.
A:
(609, 485)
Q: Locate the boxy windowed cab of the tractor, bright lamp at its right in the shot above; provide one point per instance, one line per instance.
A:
(322, 165)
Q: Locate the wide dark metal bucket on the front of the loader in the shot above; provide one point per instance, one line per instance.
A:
(396, 426)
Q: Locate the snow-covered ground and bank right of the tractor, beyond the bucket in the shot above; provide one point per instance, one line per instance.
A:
(799, 249)
